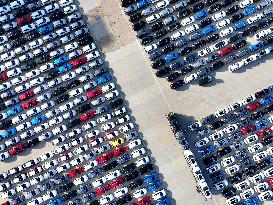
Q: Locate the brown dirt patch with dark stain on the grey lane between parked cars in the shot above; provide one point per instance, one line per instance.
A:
(109, 26)
